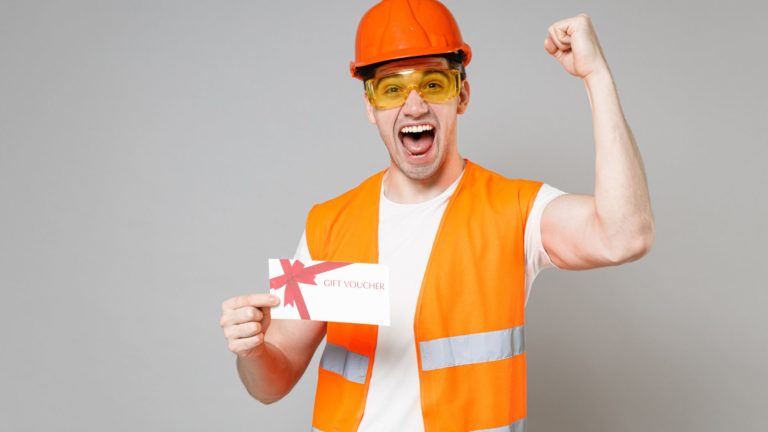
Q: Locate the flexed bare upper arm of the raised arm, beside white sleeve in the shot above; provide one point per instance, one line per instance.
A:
(571, 235)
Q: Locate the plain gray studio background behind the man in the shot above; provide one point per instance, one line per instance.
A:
(154, 154)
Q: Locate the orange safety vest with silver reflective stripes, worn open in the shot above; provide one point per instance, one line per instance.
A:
(469, 318)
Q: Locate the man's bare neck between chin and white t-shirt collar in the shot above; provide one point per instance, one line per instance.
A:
(404, 190)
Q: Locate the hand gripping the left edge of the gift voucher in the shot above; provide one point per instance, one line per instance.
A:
(245, 320)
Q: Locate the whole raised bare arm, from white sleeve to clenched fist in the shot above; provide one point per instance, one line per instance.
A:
(615, 225)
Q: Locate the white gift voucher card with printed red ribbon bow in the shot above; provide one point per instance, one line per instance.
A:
(330, 291)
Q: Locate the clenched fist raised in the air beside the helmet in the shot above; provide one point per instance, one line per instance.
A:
(573, 42)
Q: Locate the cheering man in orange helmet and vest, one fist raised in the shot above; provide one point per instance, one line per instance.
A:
(463, 244)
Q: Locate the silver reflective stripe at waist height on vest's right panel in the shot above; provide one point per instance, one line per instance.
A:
(472, 348)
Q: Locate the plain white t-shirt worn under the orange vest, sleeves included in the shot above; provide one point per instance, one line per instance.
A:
(406, 234)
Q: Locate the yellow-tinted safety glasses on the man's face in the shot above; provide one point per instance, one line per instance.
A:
(433, 85)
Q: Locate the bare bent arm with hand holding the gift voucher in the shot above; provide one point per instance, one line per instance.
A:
(269, 362)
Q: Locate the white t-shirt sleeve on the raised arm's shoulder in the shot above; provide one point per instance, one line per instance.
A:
(536, 258)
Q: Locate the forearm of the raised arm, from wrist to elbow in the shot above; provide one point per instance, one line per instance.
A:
(622, 202)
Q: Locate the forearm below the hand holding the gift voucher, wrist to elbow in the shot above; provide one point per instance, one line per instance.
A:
(267, 374)
